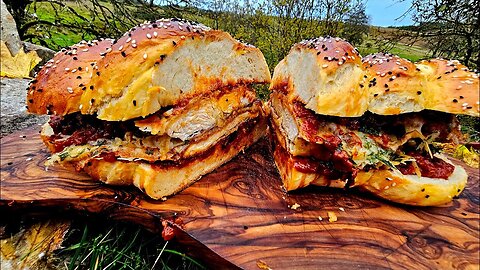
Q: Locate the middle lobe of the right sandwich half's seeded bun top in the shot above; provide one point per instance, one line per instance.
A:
(395, 84)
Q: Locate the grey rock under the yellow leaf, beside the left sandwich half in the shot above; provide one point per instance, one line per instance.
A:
(13, 111)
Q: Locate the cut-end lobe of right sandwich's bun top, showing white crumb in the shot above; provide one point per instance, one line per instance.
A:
(325, 74)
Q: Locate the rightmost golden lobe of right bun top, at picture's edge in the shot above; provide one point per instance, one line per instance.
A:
(452, 87)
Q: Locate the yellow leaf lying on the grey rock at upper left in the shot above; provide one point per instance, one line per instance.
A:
(17, 66)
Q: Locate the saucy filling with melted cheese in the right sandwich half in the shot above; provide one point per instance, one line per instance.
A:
(339, 147)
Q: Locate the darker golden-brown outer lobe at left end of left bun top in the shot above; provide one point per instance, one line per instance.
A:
(59, 85)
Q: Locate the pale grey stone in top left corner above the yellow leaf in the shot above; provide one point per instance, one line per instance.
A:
(9, 33)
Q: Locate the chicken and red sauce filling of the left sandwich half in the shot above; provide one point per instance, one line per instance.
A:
(179, 132)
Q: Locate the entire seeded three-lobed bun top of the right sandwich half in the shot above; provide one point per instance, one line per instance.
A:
(330, 78)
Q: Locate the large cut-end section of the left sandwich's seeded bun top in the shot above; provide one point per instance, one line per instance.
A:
(161, 63)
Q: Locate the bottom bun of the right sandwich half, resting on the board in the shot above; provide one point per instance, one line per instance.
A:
(385, 183)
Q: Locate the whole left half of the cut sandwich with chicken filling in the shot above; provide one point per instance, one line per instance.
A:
(167, 103)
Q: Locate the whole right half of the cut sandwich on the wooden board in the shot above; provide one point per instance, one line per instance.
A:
(374, 123)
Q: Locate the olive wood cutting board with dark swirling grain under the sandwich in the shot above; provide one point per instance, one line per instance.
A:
(239, 216)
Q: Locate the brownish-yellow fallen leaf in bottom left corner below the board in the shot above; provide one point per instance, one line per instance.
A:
(32, 247)
